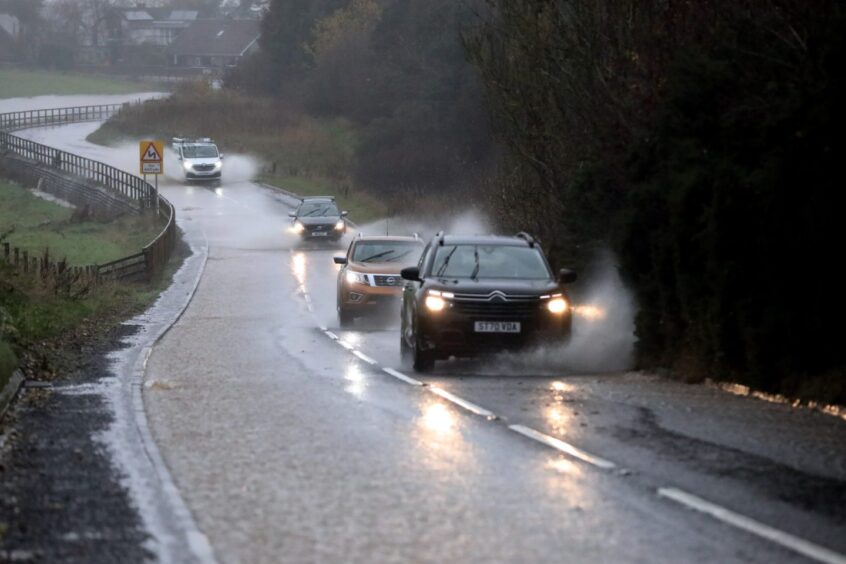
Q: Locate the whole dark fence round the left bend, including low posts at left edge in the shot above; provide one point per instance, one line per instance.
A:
(96, 183)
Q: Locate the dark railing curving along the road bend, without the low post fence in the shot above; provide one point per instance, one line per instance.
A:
(119, 183)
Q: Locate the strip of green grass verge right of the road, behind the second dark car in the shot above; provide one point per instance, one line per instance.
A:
(362, 207)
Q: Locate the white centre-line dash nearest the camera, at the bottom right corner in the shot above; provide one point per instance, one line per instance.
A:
(786, 540)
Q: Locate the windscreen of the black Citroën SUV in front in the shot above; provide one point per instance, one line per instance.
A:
(490, 261)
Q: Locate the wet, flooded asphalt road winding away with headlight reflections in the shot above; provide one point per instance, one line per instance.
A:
(286, 446)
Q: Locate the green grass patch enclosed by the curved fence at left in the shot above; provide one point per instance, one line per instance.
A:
(34, 224)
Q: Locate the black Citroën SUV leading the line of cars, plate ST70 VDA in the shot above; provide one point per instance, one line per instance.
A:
(481, 293)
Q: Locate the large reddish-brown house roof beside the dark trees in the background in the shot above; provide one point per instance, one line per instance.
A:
(217, 38)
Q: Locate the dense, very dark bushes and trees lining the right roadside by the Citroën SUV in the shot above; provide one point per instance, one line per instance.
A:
(701, 140)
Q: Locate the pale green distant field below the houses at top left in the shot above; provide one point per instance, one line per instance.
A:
(16, 83)
